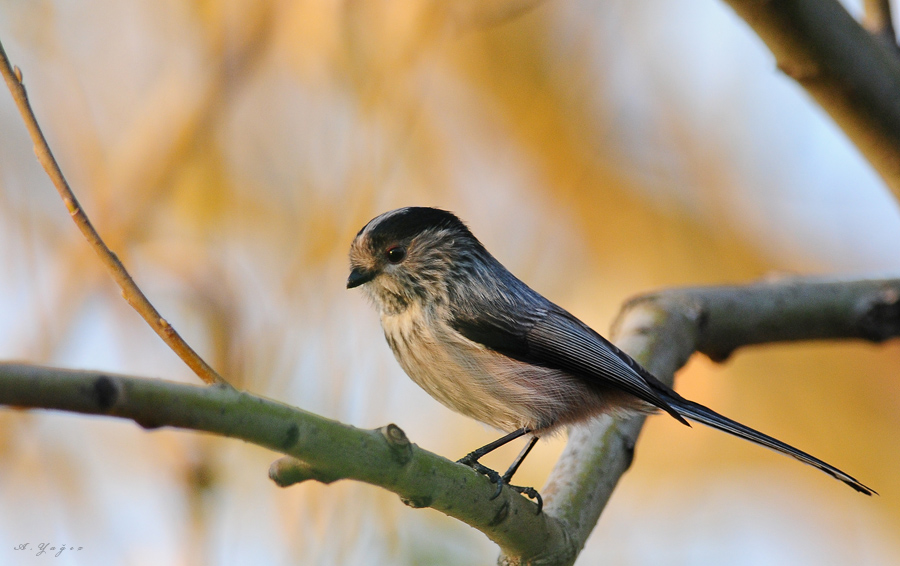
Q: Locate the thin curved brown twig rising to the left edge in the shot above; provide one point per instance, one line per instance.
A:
(130, 291)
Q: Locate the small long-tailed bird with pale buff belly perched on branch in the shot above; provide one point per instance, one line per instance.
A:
(483, 343)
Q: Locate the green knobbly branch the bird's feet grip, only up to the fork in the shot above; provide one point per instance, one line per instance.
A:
(320, 448)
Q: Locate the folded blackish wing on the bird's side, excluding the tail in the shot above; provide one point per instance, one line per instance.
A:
(549, 336)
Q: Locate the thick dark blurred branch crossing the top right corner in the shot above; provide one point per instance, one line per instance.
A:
(852, 75)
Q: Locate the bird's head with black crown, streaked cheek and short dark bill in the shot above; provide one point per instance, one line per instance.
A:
(410, 255)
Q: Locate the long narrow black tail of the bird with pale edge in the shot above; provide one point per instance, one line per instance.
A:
(701, 414)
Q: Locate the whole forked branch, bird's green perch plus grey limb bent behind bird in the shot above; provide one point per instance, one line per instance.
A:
(660, 330)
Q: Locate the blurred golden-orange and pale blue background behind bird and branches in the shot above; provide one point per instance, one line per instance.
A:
(229, 151)
